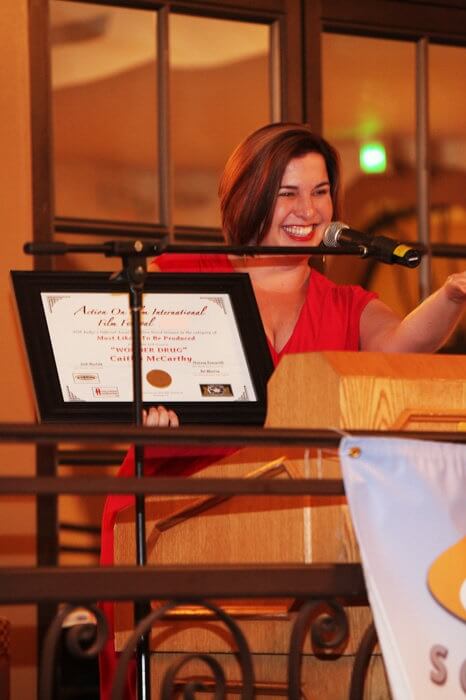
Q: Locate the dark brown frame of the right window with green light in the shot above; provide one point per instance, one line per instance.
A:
(422, 22)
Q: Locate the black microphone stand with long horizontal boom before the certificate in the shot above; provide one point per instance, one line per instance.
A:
(134, 256)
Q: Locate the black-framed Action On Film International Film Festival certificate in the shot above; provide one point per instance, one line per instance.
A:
(204, 351)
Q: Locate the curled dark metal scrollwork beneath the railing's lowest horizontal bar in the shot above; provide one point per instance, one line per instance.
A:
(325, 620)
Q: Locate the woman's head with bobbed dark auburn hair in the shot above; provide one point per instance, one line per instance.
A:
(285, 161)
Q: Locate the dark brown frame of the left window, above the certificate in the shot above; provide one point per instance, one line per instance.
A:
(283, 16)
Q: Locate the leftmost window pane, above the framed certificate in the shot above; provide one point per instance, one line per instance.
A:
(104, 97)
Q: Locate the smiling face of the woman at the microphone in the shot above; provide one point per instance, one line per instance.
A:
(303, 207)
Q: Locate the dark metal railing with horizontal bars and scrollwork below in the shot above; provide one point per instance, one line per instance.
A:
(318, 585)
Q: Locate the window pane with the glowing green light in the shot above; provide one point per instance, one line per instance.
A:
(369, 115)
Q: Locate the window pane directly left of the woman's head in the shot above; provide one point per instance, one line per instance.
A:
(220, 91)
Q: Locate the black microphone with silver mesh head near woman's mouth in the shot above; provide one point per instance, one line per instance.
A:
(385, 249)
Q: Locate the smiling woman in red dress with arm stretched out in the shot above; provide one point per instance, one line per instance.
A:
(281, 187)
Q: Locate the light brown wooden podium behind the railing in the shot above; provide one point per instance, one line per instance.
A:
(337, 390)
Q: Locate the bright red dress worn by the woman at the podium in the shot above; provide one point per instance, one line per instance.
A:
(329, 320)
